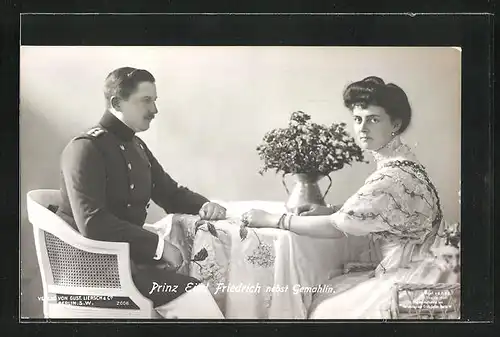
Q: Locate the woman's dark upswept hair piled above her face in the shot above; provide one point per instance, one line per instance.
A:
(373, 90)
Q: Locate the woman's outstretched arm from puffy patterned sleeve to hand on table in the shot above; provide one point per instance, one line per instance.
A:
(387, 202)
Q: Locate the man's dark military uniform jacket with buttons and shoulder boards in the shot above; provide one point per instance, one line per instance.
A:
(108, 178)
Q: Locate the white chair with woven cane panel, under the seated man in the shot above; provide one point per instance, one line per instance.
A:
(81, 278)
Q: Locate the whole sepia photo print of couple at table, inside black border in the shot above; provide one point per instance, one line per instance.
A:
(213, 183)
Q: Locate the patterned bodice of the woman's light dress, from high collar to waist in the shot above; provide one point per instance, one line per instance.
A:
(398, 207)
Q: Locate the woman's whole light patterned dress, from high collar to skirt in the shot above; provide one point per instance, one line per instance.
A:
(399, 208)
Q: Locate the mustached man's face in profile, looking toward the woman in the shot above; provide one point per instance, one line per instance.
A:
(140, 108)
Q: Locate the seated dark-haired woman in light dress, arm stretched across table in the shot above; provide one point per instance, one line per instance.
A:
(398, 206)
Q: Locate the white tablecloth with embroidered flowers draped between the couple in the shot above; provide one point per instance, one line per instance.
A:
(270, 274)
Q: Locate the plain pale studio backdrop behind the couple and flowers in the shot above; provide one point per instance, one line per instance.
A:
(215, 105)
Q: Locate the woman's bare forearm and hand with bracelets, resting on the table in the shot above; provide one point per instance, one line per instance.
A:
(314, 226)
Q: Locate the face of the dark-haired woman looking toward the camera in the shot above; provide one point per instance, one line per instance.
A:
(373, 127)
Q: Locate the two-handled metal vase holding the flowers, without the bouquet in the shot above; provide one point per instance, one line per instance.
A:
(305, 192)
